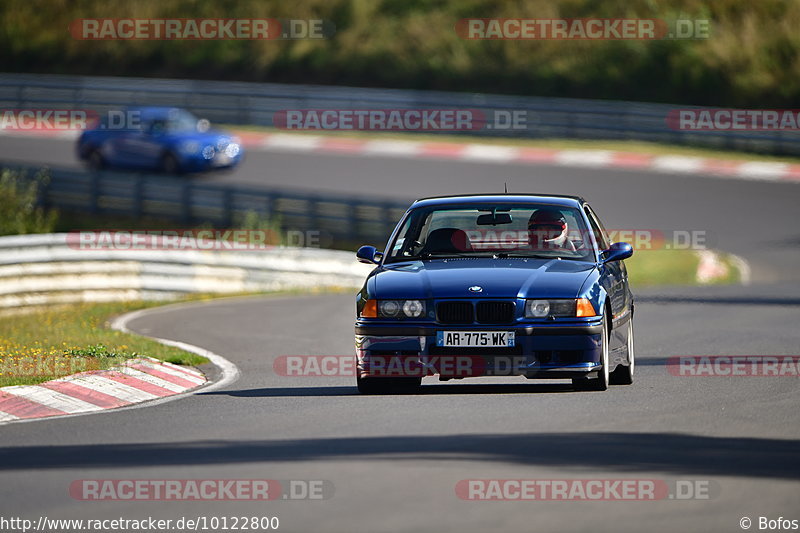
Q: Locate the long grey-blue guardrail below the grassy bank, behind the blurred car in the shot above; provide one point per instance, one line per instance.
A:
(257, 103)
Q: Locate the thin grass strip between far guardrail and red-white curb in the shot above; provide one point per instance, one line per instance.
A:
(641, 147)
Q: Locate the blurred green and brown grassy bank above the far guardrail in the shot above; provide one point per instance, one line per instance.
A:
(749, 60)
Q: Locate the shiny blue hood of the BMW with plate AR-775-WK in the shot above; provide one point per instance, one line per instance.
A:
(498, 278)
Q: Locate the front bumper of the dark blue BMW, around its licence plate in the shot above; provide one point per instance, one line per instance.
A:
(564, 350)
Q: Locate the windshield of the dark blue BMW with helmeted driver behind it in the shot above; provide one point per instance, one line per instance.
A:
(493, 230)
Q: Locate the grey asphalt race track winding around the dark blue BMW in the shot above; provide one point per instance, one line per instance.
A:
(395, 461)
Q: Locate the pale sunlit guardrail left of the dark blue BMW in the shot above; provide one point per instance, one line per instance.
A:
(46, 269)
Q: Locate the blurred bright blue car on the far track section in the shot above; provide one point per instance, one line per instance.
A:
(165, 139)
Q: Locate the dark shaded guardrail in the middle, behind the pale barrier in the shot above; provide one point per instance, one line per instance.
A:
(344, 219)
